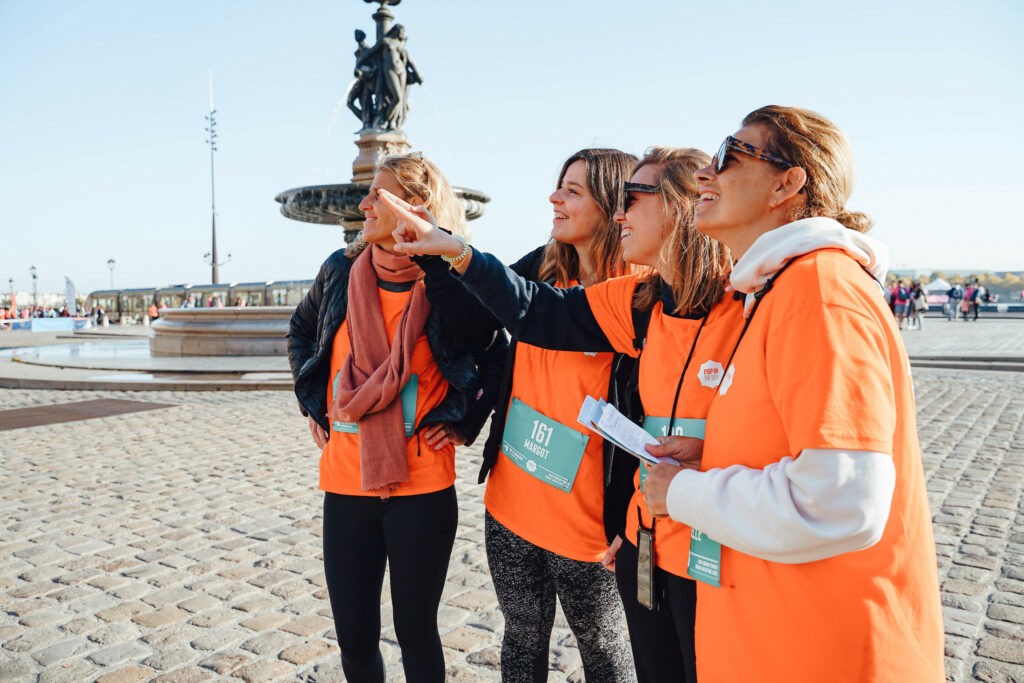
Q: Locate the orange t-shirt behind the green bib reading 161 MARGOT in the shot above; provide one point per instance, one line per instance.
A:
(571, 525)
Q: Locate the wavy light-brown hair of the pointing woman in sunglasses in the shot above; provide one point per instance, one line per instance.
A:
(700, 265)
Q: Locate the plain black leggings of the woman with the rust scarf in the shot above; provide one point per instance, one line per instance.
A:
(412, 534)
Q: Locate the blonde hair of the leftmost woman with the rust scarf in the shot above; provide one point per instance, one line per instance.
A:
(418, 177)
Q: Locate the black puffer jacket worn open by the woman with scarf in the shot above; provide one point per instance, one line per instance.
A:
(464, 338)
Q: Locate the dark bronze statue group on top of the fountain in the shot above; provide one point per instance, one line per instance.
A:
(379, 96)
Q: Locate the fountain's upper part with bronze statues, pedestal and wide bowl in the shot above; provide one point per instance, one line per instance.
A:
(379, 98)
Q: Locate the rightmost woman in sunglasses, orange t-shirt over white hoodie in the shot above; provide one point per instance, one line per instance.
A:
(812, 478)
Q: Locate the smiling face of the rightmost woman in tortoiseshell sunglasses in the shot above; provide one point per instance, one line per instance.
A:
(740, 196)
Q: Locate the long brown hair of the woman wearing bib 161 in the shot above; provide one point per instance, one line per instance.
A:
(607, 172)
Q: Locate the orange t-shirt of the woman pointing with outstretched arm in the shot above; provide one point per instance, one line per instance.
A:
(669, 343)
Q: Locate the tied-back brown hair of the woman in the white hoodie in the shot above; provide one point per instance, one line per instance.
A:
(807, 140)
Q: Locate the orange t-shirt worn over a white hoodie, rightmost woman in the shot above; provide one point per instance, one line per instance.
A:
(823, 366)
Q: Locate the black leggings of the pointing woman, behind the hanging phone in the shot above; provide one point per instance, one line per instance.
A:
(662, 641)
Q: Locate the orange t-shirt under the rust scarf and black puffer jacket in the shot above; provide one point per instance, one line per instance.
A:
(430, 471)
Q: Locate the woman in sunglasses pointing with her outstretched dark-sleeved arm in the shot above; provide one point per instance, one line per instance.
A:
(681, 358)
